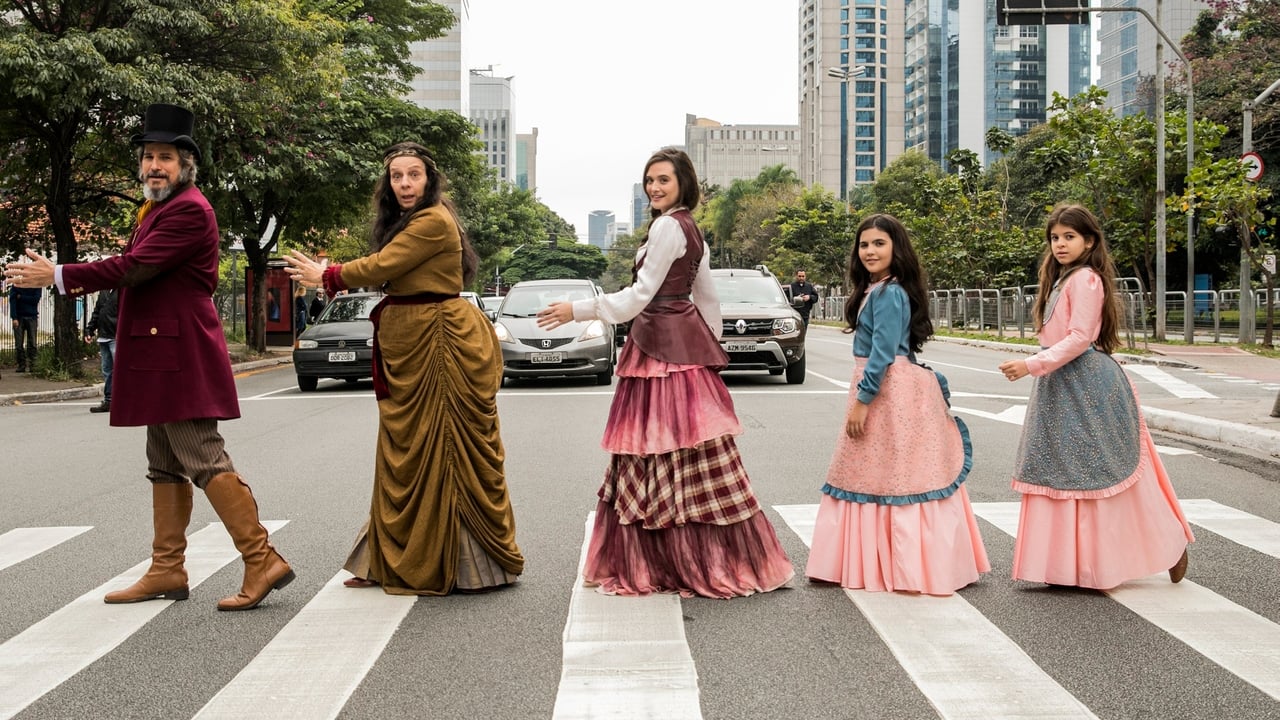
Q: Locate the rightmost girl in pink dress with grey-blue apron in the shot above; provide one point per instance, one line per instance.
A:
(1098, 505)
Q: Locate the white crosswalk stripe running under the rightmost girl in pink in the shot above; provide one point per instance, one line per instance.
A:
(1238, 640)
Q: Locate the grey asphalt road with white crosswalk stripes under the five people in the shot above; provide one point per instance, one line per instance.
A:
(1209, 648)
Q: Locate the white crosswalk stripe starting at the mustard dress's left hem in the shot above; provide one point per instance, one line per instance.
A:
(309, 675)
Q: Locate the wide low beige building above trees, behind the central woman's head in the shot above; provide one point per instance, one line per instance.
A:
(724, 154)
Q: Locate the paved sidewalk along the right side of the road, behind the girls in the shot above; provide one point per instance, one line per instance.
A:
(1245, 425)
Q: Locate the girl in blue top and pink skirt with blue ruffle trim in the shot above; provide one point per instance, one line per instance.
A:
(895, 514)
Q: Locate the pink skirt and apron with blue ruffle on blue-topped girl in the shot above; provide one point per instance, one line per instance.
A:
(895, 514)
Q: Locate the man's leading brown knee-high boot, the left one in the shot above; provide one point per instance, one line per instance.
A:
(167, 578)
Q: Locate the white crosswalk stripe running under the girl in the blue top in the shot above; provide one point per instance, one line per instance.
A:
(959, 659)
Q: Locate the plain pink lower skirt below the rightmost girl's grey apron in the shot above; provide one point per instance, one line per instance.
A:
(1103, 543)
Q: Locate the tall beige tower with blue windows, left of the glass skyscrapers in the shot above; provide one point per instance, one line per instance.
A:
(852, 90)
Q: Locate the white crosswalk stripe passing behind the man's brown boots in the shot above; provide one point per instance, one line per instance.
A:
(47, 654)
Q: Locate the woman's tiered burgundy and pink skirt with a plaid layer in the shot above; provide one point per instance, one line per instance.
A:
(676, 511)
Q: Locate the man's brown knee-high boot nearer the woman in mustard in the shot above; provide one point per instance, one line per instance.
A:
(264, 568)
